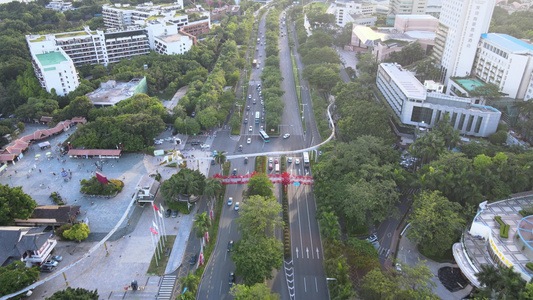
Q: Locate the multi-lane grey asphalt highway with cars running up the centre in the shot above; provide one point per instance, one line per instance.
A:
(302, 276)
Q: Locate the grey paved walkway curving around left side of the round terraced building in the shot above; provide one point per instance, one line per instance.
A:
(408, 254)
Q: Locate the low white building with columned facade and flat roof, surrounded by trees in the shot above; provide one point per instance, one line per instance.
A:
(413, 105)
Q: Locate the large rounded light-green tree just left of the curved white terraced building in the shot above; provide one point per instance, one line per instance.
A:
(436, 222)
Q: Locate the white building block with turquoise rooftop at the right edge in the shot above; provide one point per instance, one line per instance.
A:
(505, 61)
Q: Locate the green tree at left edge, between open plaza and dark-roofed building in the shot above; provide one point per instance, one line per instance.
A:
(14, 204)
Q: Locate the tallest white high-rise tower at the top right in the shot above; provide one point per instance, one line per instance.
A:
(461, 24)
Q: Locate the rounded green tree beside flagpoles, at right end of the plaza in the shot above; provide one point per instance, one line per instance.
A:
(186, 182)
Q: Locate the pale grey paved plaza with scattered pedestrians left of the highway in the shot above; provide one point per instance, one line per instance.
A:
(127, 254)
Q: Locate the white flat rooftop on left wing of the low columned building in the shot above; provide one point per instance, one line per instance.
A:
(408, 83)
